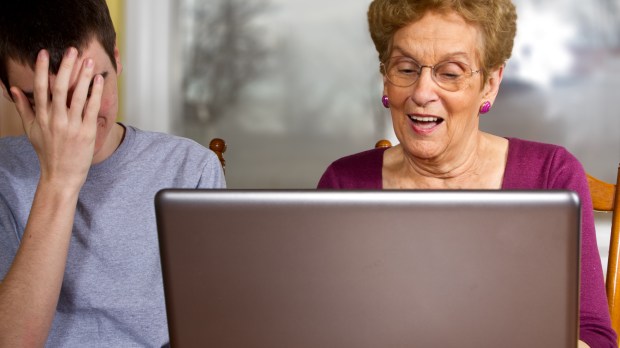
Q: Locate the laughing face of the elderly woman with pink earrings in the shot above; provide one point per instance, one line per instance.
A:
(429, 121)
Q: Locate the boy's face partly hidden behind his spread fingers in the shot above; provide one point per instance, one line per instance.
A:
(22, 76)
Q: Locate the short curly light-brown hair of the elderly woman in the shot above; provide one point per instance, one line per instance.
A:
(496, 20)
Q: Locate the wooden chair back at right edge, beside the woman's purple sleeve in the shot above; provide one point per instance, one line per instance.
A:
(606, 198)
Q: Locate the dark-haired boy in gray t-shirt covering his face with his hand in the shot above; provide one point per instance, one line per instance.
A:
(79, 258)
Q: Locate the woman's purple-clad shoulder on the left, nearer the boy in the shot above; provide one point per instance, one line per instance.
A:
(360, 170)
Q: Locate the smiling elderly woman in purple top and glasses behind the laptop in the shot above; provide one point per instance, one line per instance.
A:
(442, 63)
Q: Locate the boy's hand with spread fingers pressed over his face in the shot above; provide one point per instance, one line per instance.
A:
(62, 131)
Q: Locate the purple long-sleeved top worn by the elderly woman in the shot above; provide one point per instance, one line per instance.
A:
(530, 165)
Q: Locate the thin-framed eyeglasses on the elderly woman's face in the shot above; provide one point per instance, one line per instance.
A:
(404, 72)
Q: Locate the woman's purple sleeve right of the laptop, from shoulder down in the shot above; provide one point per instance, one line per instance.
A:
(566, 172)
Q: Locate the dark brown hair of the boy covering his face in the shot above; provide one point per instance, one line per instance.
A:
(28, 26)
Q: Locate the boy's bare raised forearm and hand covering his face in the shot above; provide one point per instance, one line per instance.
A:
(63, 135)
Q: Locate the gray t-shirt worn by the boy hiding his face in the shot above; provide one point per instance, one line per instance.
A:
(112, 294)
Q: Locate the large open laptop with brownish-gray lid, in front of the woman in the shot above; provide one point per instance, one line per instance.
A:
(262, 268)
